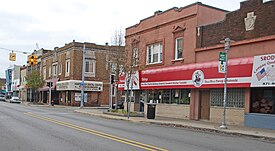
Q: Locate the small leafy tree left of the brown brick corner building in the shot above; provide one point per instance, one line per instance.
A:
(34, 81)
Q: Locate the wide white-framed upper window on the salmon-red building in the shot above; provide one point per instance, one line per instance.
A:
(154, 53)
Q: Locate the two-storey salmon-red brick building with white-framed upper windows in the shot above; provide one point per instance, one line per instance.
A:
(163, 41)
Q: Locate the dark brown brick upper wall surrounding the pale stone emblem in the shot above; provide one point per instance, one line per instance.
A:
(234, 27)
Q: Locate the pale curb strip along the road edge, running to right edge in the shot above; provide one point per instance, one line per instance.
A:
(209, 130)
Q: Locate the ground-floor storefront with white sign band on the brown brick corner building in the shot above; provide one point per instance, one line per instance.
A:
(70, 92)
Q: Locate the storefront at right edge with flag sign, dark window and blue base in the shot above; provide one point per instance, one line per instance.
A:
(262, 103)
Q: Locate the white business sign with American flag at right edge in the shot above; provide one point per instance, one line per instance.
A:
(263, 73)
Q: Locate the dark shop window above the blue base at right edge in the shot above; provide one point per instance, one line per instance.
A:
(263, 100)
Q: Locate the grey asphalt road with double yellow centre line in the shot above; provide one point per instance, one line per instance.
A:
(32, 128)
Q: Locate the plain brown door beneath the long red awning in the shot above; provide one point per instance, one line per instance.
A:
(205, 104)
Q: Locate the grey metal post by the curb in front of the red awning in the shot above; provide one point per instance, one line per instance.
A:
(226, 47)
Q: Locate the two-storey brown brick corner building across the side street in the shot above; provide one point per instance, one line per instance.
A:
(65, 64)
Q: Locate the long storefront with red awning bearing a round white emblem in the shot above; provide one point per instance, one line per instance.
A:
(195, 91)
